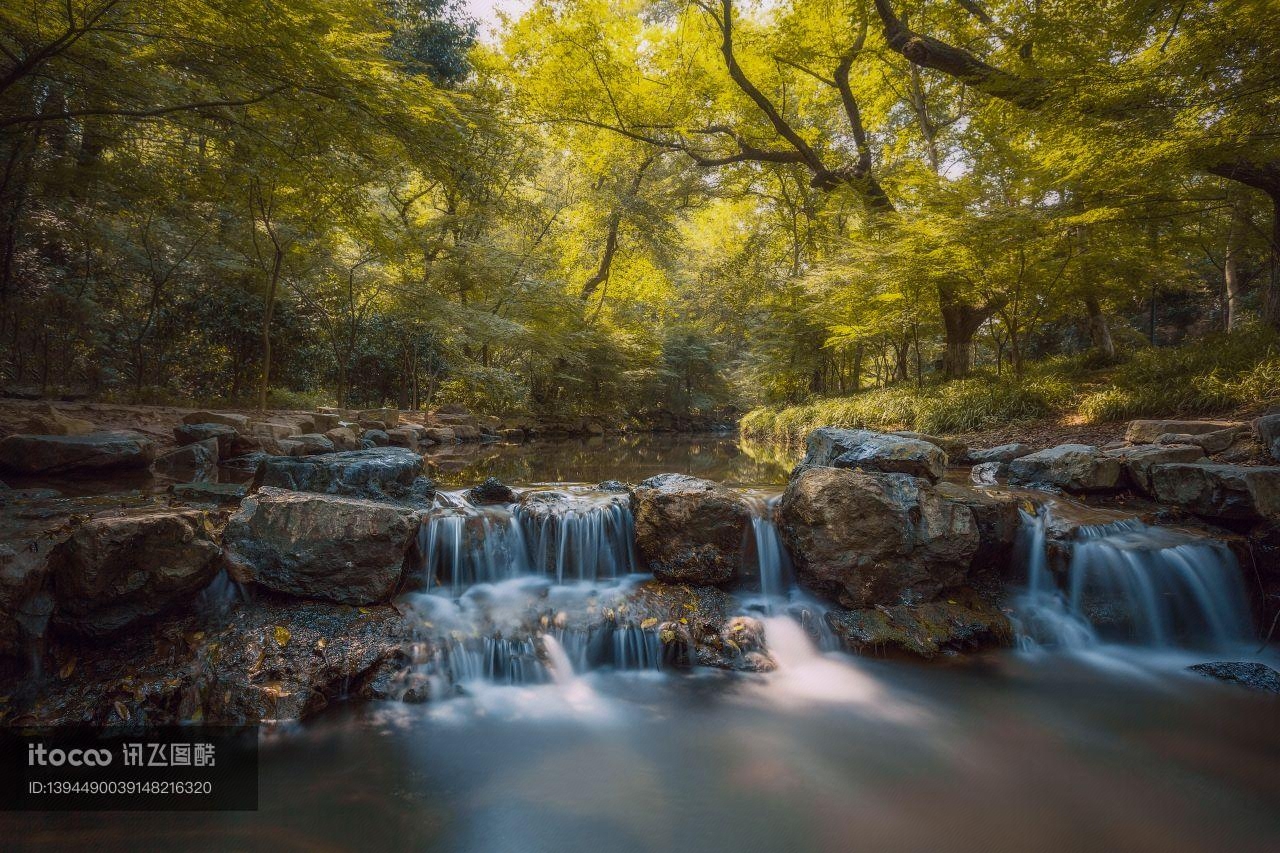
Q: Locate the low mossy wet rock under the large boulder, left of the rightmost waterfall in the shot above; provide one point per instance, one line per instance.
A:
(957, 624)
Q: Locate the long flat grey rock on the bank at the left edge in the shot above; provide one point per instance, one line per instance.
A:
(76, 454)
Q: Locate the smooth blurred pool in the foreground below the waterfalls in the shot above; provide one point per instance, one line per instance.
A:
(825, 755)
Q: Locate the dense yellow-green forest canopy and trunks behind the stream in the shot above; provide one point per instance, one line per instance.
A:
(633, 206)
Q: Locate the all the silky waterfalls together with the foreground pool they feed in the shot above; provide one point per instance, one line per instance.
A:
(561, 722)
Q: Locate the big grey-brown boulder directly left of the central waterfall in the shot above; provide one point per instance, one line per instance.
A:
(319, 546)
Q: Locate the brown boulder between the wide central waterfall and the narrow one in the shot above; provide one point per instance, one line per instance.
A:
(691, 531)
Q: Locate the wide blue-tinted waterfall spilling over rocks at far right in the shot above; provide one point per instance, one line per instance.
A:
(1132, 583)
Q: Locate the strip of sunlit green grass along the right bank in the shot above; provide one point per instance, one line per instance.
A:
(1209, 377)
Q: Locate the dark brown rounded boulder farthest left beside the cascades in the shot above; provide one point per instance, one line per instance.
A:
(115, 573)
